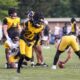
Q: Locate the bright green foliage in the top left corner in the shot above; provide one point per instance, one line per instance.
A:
(5, 5)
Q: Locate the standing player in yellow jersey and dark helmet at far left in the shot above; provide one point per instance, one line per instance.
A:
(11, 23)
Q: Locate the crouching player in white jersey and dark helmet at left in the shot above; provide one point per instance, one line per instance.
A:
(11, 49)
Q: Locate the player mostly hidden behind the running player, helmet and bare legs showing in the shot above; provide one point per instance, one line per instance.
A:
(37, 46)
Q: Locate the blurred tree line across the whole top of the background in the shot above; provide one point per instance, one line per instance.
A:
(50, 8)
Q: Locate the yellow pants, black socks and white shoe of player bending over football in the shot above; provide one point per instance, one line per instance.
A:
(66, 42)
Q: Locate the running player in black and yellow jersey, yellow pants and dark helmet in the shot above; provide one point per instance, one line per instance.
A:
(28, 37)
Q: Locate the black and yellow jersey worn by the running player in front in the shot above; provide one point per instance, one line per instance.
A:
(30, 32)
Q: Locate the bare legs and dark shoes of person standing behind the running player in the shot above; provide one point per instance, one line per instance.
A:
(38, 50)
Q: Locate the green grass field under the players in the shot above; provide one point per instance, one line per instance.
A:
(70, 72)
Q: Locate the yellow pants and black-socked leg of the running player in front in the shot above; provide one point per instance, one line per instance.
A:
(25, 51)
